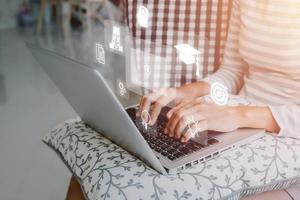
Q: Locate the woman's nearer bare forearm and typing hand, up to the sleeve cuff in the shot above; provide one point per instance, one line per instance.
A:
(209, 116)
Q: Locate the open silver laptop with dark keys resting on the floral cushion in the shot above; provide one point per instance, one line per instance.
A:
(97, 105)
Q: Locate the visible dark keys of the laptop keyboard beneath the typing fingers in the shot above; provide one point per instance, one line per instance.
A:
(162, 143)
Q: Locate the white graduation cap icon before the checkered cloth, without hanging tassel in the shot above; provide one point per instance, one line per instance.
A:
(187, 53)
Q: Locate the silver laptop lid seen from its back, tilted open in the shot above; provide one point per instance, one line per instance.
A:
(89, 95)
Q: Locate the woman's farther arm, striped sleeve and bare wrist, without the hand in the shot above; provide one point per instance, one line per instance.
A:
(233, 67)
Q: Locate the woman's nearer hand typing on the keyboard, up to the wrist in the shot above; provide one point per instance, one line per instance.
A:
(204, 116)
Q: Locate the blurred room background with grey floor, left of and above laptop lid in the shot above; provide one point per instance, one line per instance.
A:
(30, 104)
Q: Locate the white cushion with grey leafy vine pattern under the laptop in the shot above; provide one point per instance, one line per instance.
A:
(106, 171)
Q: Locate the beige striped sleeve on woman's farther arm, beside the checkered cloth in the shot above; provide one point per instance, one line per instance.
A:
(233, 68)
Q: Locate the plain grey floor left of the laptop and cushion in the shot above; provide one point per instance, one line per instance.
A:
(30, 105)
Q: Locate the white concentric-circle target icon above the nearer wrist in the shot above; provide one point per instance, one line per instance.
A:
(219, 94)
